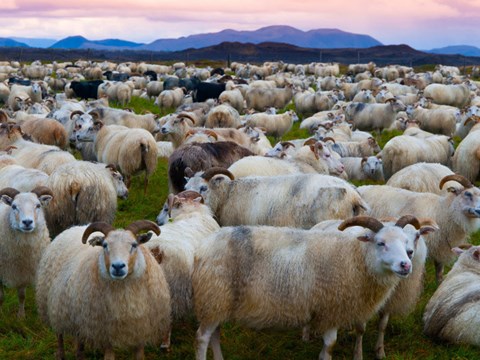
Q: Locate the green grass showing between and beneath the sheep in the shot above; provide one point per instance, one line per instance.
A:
(31, 339)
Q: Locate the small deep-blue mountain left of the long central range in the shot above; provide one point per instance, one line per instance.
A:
(79, 42)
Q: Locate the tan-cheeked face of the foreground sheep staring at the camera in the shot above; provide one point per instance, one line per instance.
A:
(121, 256)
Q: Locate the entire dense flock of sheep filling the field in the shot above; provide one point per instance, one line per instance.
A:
(268, 235)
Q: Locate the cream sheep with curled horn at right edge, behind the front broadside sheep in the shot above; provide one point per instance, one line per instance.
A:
(456, 213)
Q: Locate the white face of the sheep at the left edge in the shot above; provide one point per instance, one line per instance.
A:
(26, 211)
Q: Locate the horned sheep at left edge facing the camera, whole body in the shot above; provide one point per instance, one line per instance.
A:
(24, 238)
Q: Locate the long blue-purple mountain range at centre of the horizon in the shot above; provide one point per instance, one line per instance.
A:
(319, 38)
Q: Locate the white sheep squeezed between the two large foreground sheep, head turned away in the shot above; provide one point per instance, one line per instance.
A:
(184, 222)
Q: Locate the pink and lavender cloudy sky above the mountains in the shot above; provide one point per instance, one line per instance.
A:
(422, 24)
